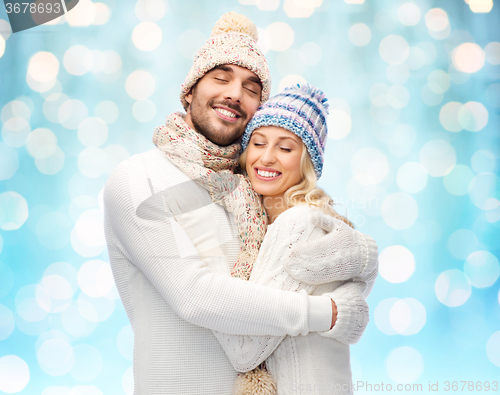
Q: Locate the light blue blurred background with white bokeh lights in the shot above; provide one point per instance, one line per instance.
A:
(412, 158)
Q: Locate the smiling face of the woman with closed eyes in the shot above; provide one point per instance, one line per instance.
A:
(273, 160)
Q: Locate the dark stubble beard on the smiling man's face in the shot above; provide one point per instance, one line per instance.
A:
(220, 135)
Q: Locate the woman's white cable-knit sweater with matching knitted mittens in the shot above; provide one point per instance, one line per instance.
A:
(306, 251)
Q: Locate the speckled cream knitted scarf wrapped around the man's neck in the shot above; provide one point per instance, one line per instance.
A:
(212, 167)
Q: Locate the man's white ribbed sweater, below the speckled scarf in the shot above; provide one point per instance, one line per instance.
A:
(171, 296)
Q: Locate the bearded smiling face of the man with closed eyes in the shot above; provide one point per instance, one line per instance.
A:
(222, 103)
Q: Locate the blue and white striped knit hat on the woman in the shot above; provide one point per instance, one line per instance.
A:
(301, 110)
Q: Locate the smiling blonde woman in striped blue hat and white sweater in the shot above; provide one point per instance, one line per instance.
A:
(308, 247)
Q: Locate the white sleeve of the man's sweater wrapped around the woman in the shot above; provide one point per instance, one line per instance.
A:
(143, 229)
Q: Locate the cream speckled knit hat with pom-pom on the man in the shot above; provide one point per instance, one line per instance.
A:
(233, 41)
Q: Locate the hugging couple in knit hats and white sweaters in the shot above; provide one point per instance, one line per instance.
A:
(226, 255)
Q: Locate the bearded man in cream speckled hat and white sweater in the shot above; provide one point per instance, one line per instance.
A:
(172, 297)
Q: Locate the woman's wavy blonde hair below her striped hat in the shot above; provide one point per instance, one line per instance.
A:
(306, 191)
